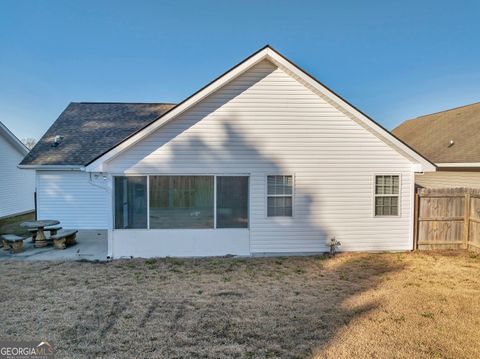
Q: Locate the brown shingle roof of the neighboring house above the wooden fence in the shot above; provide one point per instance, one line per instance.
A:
(447, 137)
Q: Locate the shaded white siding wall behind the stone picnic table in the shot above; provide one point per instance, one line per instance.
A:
(75, 198)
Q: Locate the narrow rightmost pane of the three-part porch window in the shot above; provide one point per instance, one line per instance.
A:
(232, 202)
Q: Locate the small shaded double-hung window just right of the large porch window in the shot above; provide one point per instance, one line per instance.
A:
(279, 196)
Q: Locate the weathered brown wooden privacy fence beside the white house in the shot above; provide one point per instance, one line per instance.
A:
(447, 218)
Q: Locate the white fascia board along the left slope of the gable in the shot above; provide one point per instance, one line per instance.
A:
(97, 165)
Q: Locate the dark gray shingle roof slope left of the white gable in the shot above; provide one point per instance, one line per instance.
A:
(89, 129)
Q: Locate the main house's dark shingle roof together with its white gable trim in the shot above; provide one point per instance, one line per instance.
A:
(91, 139)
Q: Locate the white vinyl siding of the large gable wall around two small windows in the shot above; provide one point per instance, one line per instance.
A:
(266, 122)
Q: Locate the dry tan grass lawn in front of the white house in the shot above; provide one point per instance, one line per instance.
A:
(399, 305)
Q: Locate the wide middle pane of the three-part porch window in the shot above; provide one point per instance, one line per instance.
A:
(181, 201)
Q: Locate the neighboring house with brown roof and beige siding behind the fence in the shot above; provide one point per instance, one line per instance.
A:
(451, 140)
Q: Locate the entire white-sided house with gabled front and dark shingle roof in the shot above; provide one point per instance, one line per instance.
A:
(264, 159)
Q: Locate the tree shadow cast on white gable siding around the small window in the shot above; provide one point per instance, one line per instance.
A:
(228, 151)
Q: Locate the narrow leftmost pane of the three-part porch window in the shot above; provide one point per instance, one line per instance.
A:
(130, 202)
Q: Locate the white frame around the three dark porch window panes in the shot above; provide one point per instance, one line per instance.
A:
(147, 175)
